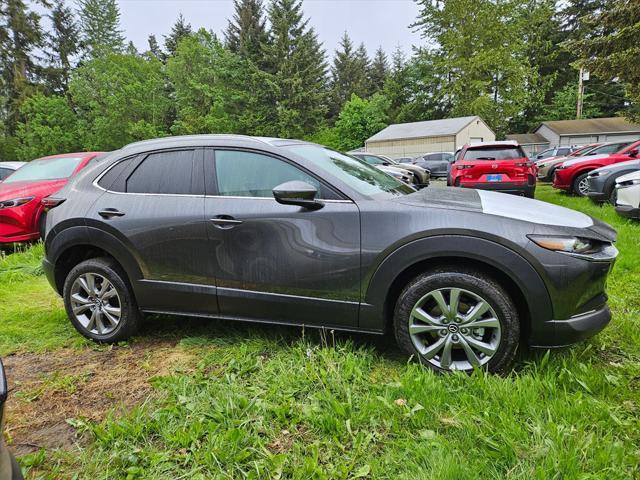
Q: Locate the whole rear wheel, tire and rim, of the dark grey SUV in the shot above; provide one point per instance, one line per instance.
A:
(99, 301)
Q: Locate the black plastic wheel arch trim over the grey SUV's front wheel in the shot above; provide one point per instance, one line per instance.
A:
(513, 265)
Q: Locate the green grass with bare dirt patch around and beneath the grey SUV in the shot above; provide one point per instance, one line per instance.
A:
(206, 399)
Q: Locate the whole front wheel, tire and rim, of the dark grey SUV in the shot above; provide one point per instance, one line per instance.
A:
(457, 319)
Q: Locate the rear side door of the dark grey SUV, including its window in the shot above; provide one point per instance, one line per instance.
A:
(154, 203)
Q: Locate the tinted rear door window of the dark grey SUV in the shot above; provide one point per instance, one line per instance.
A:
(169, 173)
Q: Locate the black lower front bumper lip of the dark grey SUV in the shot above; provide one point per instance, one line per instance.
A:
(560, 333)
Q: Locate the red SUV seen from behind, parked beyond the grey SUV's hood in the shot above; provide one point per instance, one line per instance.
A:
(499, 166)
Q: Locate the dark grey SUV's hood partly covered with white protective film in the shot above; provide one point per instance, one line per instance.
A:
(498, 204)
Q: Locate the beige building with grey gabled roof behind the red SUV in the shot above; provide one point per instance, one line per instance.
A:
(417, 138)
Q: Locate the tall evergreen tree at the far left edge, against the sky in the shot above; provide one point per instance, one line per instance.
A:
(20, 36)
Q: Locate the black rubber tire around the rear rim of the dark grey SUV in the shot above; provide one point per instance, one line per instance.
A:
(130, 316)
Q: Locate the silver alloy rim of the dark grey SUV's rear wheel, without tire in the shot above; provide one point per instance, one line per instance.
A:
(95, 303)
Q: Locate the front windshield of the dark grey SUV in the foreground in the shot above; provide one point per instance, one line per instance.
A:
(364, 179)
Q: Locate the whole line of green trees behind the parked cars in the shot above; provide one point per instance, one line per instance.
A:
(80, 85)
